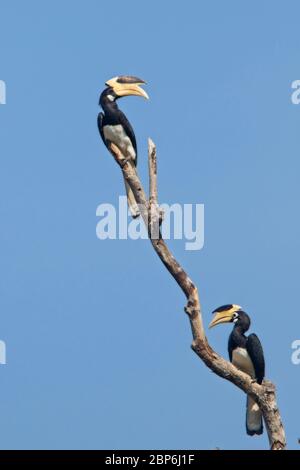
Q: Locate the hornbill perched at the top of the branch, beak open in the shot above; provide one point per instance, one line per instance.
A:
(115, 128)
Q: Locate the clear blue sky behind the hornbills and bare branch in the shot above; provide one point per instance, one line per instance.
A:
(98, 346)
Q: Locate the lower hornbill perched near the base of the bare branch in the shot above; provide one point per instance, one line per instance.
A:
(246, 353)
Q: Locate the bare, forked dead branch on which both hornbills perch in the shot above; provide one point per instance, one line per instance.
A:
(264, 394)
